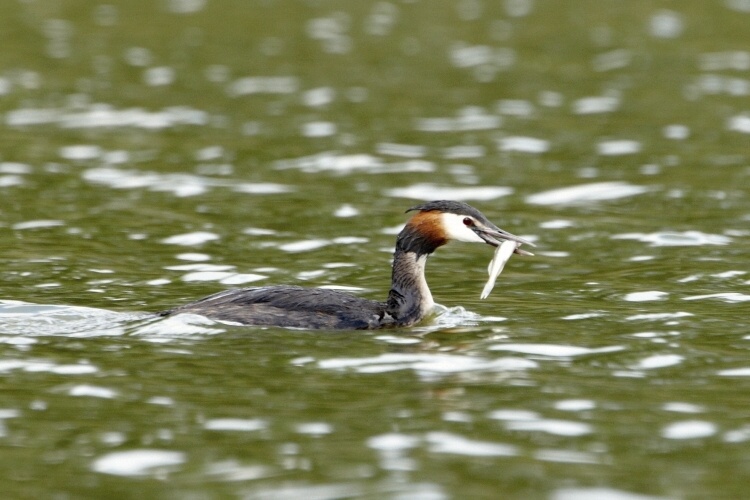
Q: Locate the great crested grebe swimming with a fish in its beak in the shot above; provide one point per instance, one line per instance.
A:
(435, 224)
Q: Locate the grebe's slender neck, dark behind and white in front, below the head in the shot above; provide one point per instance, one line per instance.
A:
(409, 299)
